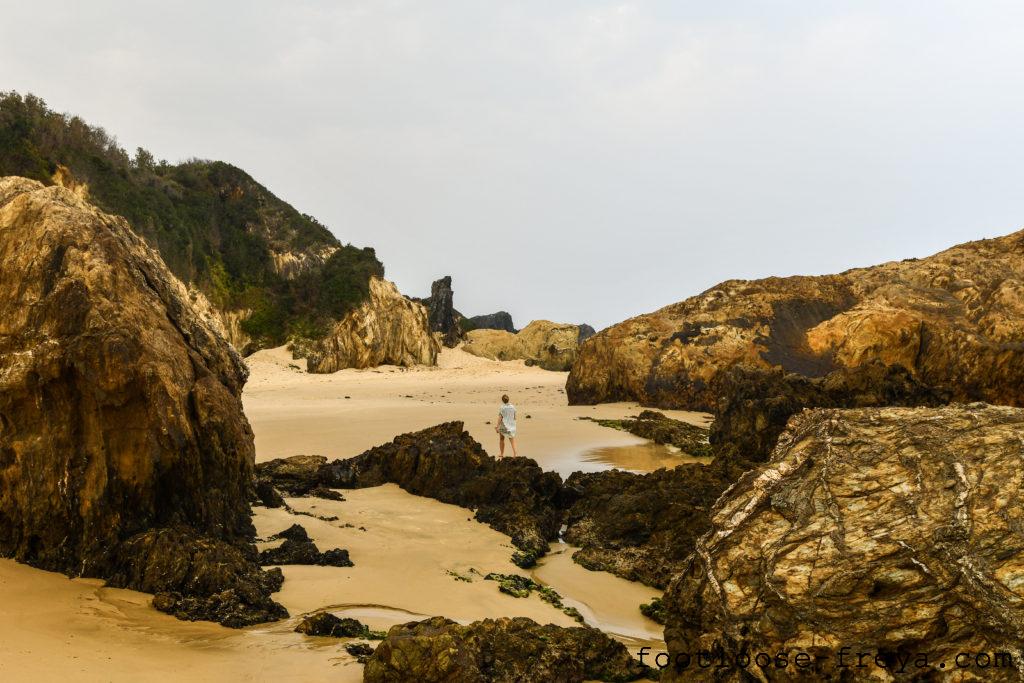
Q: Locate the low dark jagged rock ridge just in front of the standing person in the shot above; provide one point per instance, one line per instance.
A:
(514, 495)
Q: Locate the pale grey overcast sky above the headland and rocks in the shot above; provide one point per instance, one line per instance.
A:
(581, 162)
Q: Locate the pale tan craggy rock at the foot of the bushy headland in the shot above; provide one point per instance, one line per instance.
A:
(389, 329)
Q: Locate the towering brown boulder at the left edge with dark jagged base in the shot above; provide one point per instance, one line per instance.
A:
(124, 452)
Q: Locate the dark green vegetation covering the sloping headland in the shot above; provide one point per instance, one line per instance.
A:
(212, 224)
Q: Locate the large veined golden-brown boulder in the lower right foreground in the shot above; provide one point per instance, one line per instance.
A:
(892, 531)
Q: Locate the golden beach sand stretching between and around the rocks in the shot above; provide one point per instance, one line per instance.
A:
(408, 554)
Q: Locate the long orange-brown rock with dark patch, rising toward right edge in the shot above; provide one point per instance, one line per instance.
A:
(955, 321)
